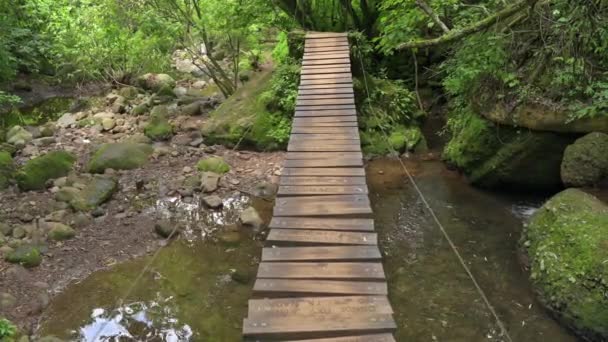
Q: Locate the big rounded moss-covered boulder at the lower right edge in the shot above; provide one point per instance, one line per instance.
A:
(567, 245)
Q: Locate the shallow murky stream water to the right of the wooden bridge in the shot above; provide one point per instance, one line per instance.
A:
(433, 297)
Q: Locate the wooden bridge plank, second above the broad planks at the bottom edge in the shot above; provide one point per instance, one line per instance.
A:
(321, 270)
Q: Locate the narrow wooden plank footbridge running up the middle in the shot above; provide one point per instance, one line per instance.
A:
(321, 277)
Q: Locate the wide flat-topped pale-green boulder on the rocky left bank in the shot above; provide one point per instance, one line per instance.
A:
(119, 156)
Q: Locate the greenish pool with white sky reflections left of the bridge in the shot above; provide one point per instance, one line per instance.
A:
(195, 290)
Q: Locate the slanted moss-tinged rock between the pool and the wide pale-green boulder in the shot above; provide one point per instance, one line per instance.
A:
(99, 190)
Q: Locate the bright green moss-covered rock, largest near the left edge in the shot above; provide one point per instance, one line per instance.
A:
(36, 172)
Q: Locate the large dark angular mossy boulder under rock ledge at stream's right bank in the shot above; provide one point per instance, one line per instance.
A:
(497, 156)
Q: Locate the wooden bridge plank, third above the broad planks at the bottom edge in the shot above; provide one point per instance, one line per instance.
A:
(321, 253)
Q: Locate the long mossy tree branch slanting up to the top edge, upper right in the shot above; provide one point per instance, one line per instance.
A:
(455, 35)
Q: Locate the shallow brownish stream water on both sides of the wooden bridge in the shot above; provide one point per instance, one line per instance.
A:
(197, 288)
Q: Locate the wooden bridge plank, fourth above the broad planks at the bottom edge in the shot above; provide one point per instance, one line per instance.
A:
(324, 237)
